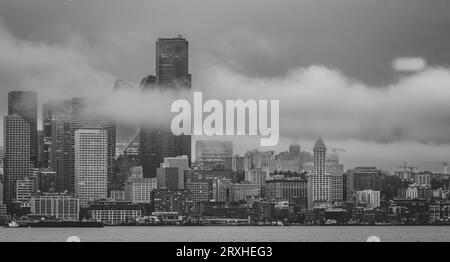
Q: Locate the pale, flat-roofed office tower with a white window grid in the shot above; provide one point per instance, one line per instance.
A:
(91, 164)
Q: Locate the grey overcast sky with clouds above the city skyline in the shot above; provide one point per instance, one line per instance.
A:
(297, 50)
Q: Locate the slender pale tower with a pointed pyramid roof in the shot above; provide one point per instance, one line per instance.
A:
(321, 180)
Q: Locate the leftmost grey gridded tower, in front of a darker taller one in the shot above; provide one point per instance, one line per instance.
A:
(17, 154)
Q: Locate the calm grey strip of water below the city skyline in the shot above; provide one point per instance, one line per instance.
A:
(231, 234)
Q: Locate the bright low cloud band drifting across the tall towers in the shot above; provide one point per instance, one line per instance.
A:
(313, 101)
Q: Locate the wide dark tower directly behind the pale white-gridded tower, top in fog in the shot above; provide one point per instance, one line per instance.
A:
(81, 119)
